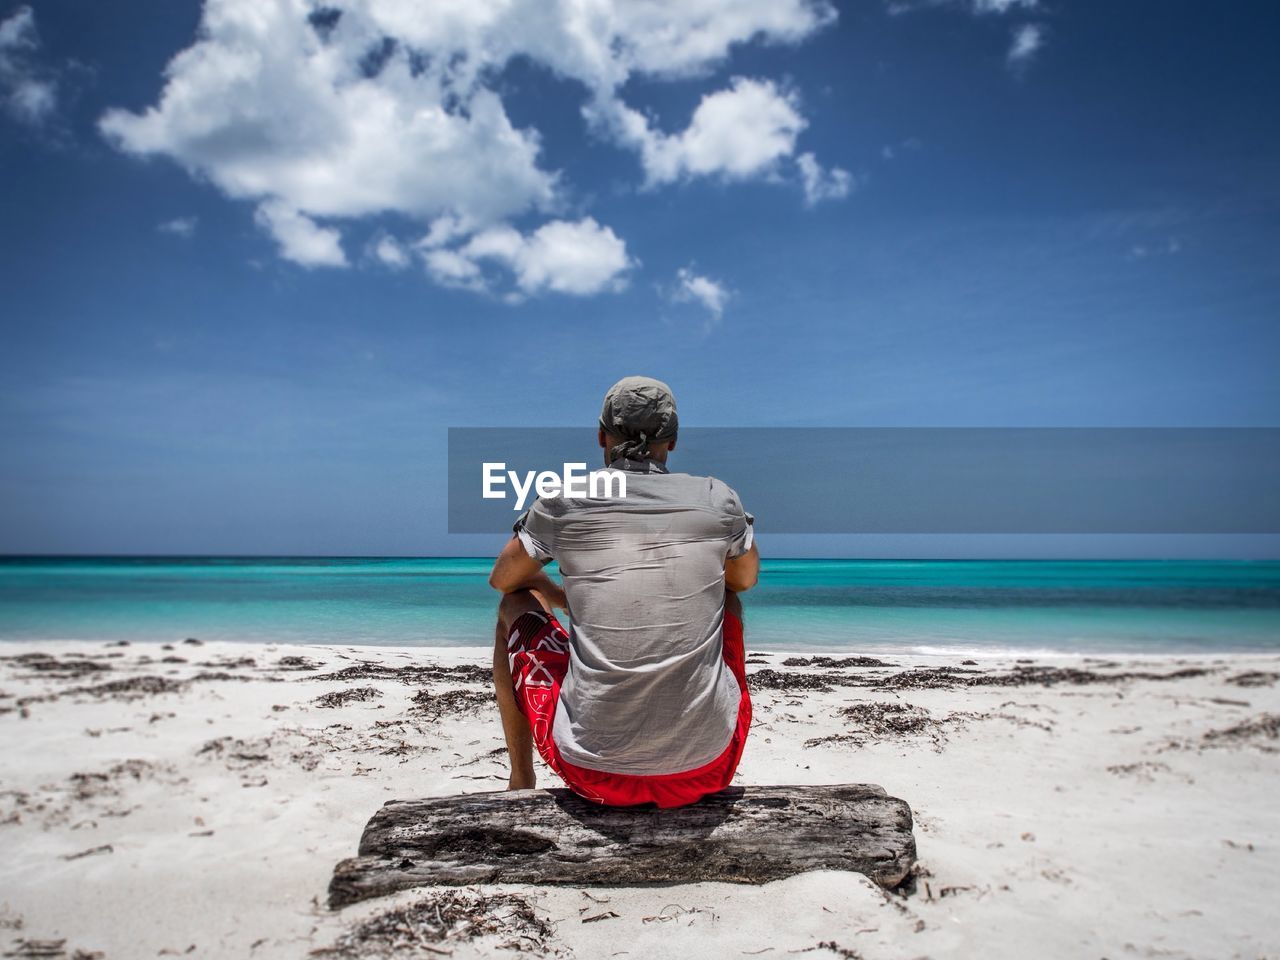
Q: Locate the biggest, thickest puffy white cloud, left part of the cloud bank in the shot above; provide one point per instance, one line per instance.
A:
(266, 107)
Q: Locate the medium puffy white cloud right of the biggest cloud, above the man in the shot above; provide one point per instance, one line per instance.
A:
(735, 134)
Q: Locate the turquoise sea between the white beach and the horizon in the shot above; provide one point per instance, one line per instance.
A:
(979, 606)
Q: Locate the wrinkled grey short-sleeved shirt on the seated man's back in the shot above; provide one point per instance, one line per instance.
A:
(647, 691)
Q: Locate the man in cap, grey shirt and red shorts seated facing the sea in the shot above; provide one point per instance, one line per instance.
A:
(644, 698)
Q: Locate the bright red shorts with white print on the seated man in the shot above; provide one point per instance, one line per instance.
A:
(538, 653)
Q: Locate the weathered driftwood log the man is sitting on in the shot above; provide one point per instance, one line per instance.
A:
(743, 835)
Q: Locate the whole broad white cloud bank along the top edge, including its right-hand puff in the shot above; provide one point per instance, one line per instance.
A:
(363, 108)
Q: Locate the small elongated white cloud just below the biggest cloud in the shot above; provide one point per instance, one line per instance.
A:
(560, 257)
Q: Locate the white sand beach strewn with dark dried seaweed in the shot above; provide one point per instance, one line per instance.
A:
(193, 801)
